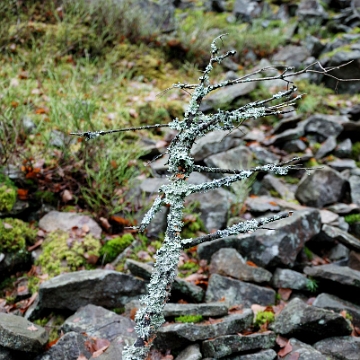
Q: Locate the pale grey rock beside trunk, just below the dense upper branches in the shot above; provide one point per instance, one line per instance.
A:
(214, 143)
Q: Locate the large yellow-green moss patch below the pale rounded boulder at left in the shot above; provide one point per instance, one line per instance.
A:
(63, 254)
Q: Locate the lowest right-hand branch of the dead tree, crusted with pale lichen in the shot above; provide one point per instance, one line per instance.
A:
(239, 228)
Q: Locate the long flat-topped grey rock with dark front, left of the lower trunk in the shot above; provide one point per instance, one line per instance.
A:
(106, 288)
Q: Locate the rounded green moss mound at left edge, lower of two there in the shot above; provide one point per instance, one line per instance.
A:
(14, 234)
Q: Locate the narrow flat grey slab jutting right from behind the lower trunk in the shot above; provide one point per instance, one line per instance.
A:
(209, 309)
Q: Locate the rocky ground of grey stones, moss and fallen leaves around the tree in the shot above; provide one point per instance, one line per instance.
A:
(290, 291)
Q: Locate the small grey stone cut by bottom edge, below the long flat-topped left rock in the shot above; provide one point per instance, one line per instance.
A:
(70, 347)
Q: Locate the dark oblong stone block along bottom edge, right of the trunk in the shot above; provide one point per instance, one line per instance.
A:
(230, 344)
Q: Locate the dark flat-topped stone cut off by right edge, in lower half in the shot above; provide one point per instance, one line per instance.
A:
(336, 278)
